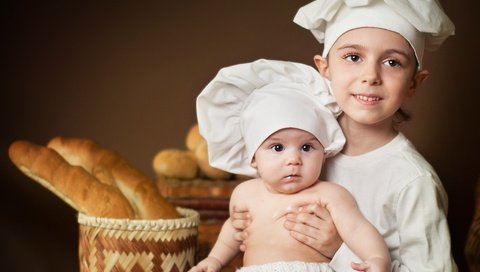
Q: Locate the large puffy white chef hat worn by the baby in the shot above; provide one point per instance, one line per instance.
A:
(246, 103)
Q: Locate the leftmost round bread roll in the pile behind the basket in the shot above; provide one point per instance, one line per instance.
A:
(175, 163)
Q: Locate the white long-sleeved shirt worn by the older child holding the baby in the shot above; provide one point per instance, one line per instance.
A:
(401, 195)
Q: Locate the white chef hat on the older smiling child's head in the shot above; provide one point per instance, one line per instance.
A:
(421, 22)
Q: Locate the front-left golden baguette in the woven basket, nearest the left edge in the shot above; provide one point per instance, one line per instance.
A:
(72, 184)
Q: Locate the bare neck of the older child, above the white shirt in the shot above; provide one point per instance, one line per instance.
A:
(363, 138)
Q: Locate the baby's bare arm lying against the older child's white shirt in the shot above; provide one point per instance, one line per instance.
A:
(361, 236)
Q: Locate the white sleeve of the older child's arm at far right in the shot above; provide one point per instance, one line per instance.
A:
(423, 228)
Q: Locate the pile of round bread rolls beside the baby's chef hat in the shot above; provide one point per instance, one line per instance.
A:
(189, 163)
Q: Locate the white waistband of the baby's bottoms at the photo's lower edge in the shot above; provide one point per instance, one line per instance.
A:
(287, 267)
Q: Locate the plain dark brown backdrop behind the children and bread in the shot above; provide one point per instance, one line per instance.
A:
(126, 74)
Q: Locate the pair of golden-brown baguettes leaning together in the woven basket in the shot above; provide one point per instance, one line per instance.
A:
(93, 180)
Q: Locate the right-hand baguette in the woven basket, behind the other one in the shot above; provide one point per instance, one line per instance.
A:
(110, 167)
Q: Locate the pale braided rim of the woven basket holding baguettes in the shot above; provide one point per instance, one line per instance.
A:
(190, 218)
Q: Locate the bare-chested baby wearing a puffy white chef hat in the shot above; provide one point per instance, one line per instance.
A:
(275, 121)
